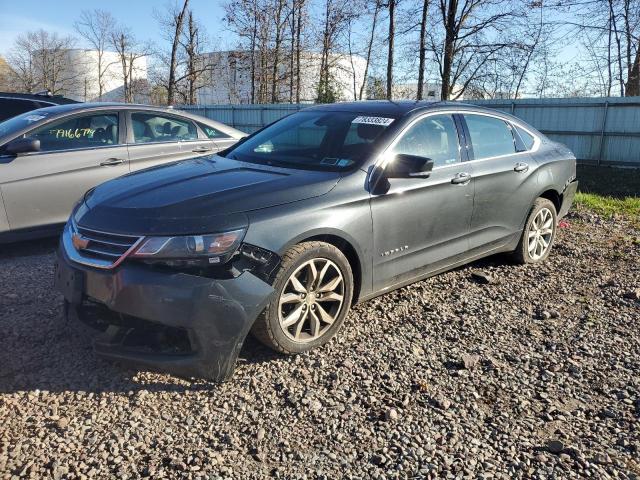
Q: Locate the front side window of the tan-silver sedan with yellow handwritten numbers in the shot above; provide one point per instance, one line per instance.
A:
(87, 131)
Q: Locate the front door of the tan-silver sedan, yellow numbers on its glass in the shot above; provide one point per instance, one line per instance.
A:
(76, 153)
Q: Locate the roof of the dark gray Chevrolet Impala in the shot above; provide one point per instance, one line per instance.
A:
(398, 108)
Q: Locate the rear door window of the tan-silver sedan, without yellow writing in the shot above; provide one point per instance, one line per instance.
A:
(150, 127)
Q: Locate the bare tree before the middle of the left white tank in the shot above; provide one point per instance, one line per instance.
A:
(96, 28)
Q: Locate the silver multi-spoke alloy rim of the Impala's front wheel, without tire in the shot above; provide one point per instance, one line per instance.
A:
(311, 300)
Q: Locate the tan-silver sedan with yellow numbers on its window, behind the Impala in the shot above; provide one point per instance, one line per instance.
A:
(51, 156)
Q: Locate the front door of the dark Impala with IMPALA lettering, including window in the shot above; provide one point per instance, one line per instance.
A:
(421, 224)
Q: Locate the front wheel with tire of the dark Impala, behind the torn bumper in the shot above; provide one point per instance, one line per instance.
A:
(314, 288)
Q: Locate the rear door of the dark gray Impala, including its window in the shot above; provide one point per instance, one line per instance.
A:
(505, 182)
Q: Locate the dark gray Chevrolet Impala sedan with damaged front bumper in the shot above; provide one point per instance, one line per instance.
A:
(283, 232)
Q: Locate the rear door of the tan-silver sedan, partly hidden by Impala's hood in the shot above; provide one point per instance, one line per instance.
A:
(156, 138)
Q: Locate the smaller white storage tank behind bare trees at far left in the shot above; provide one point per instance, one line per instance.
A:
(80, 75)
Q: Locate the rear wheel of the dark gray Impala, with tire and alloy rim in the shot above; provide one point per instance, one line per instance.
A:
(538, 234)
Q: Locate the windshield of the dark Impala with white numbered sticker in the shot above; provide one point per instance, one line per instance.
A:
(316, 139)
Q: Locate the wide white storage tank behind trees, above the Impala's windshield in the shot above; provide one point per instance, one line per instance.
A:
(228, 79)
